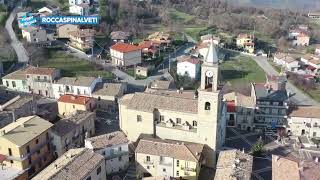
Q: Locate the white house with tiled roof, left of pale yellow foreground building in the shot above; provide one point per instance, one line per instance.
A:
(115, 149)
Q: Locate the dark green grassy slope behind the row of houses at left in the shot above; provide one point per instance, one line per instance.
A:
(71, 66)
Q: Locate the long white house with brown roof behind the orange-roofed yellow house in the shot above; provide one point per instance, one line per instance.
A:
(81, 85)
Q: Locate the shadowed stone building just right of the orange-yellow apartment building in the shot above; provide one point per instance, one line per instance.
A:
(70, 132)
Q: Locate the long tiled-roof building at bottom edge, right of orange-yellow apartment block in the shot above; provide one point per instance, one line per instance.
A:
(75, 164)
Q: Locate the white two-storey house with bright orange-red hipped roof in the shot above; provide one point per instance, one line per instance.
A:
(123, 54)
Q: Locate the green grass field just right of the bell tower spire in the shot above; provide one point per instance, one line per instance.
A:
(242, 70)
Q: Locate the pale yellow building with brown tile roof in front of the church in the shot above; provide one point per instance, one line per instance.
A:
(168, 158)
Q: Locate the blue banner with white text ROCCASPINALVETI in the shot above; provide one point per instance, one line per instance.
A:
(81, 20)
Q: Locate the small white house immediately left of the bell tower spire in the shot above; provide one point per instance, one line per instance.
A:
(188, 65)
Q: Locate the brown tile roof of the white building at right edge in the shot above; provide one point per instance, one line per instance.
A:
(305, 111)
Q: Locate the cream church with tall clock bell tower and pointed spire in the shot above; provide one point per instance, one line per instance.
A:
(180, 115)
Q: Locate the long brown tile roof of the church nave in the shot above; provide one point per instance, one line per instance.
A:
(174, 101)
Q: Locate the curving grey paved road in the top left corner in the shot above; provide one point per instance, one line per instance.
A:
(15, 43)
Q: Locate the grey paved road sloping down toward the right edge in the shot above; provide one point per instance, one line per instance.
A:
(298, 97)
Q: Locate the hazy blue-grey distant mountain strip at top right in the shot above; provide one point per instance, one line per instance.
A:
(304, 5)
